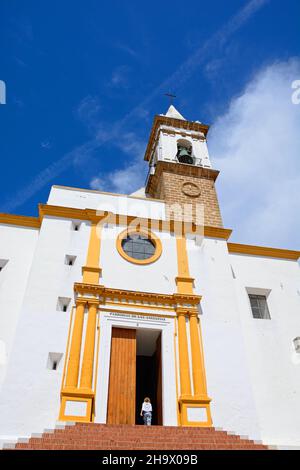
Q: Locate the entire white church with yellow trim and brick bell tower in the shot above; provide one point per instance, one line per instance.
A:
(108, 298)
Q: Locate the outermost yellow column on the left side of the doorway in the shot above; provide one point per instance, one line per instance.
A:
(74, 355)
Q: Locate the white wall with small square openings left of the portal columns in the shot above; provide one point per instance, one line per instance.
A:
(30, 396)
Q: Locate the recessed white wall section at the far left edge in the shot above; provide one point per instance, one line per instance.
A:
(17, 245)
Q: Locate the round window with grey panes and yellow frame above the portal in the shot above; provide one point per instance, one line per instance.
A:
(140, 247)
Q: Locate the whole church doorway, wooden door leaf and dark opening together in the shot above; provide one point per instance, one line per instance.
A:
(135, 373)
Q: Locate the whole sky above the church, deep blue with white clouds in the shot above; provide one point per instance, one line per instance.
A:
(84, 80)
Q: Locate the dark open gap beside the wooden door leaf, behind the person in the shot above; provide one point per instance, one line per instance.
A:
(148, 373)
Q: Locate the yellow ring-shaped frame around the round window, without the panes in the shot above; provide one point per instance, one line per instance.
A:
(146, 233)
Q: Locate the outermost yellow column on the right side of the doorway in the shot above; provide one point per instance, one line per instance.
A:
(197, 358)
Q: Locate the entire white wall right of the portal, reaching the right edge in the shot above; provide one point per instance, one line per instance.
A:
(251, 365)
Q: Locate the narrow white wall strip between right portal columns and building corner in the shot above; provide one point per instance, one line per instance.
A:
(228, 380)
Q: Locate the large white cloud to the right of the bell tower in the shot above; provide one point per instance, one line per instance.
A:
(256, 145)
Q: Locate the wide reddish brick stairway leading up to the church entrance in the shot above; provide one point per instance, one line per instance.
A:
(82, 436)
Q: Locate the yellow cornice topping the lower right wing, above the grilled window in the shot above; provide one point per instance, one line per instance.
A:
(263, 251)
